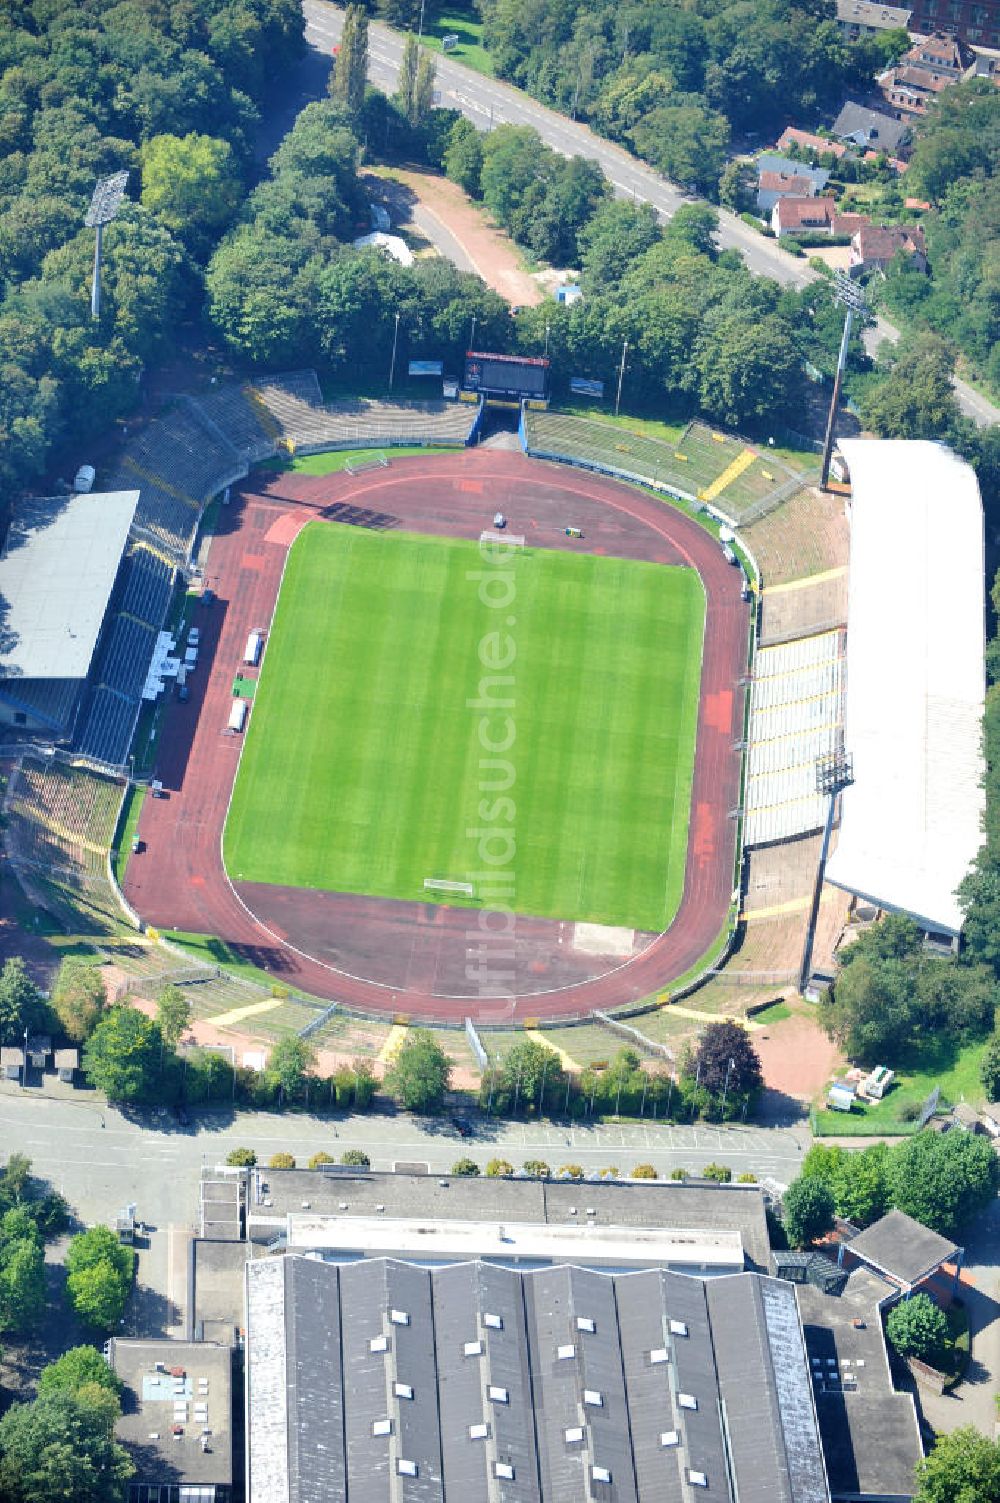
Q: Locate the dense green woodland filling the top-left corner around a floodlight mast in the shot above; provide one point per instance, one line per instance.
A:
(169, 92)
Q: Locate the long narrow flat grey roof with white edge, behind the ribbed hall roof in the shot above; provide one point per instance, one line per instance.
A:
(670, 1211)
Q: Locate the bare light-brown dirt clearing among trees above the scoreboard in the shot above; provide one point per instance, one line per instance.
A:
(440, 213)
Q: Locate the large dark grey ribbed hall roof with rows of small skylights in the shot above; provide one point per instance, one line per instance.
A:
(738, 1341)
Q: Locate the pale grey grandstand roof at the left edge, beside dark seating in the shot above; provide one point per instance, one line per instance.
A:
(56, 578)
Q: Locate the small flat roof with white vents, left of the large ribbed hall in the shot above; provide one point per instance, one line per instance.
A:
(201, 1403)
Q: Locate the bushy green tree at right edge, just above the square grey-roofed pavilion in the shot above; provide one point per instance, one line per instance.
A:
(944, 1179)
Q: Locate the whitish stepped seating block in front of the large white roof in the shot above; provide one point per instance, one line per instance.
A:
(796, 719)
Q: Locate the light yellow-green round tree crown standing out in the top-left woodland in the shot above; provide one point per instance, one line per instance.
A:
(192, 184)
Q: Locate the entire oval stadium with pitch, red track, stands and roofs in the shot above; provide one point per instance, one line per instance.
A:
(488, 734)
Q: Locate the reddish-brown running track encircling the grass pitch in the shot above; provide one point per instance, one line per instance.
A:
(383, 957)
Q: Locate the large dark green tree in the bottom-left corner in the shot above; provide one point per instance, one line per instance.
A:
(62, 1447)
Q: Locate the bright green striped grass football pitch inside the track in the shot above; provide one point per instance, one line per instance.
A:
(428, 713)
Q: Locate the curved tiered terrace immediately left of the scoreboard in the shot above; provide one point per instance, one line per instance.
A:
(309, 426)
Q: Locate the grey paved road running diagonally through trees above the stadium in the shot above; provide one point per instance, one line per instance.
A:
(489, 103)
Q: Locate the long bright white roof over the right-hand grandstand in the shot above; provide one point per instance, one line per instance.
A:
(912, 821)
